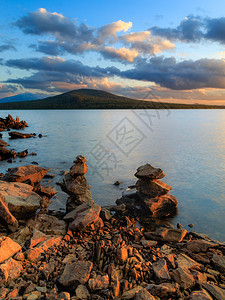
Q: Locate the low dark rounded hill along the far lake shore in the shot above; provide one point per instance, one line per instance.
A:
(95, 99)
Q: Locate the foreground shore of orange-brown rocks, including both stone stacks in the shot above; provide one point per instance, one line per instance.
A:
(94, 252)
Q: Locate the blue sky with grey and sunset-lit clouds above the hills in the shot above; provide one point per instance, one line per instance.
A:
(171, 51)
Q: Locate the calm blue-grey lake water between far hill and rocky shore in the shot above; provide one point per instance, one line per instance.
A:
(189, 145)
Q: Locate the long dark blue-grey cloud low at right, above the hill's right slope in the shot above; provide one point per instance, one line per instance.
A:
(185, 75)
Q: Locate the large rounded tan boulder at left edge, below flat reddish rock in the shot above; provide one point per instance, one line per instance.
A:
(21, 200)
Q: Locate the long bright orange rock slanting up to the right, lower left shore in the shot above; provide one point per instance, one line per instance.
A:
(34, 254)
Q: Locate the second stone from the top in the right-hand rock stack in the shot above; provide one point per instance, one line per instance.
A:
(152, 188)
